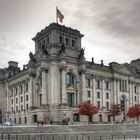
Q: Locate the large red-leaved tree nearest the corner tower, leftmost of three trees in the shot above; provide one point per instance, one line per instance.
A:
(86, 108)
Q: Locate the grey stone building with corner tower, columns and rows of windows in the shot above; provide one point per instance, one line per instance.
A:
(57, 79)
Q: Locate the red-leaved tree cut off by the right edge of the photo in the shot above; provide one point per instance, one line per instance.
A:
(134, 111)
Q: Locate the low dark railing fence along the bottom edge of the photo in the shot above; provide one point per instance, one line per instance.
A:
(64, 137)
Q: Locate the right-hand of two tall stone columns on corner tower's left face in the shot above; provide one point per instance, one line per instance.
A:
(44, 85)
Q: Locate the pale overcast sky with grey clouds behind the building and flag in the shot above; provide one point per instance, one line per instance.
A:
(111, 27)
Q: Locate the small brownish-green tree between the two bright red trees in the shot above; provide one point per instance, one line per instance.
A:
(115, 111)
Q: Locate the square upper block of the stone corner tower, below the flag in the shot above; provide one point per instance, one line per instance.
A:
(55, 39)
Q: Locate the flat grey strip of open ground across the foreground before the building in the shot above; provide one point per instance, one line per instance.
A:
(81, 132)
